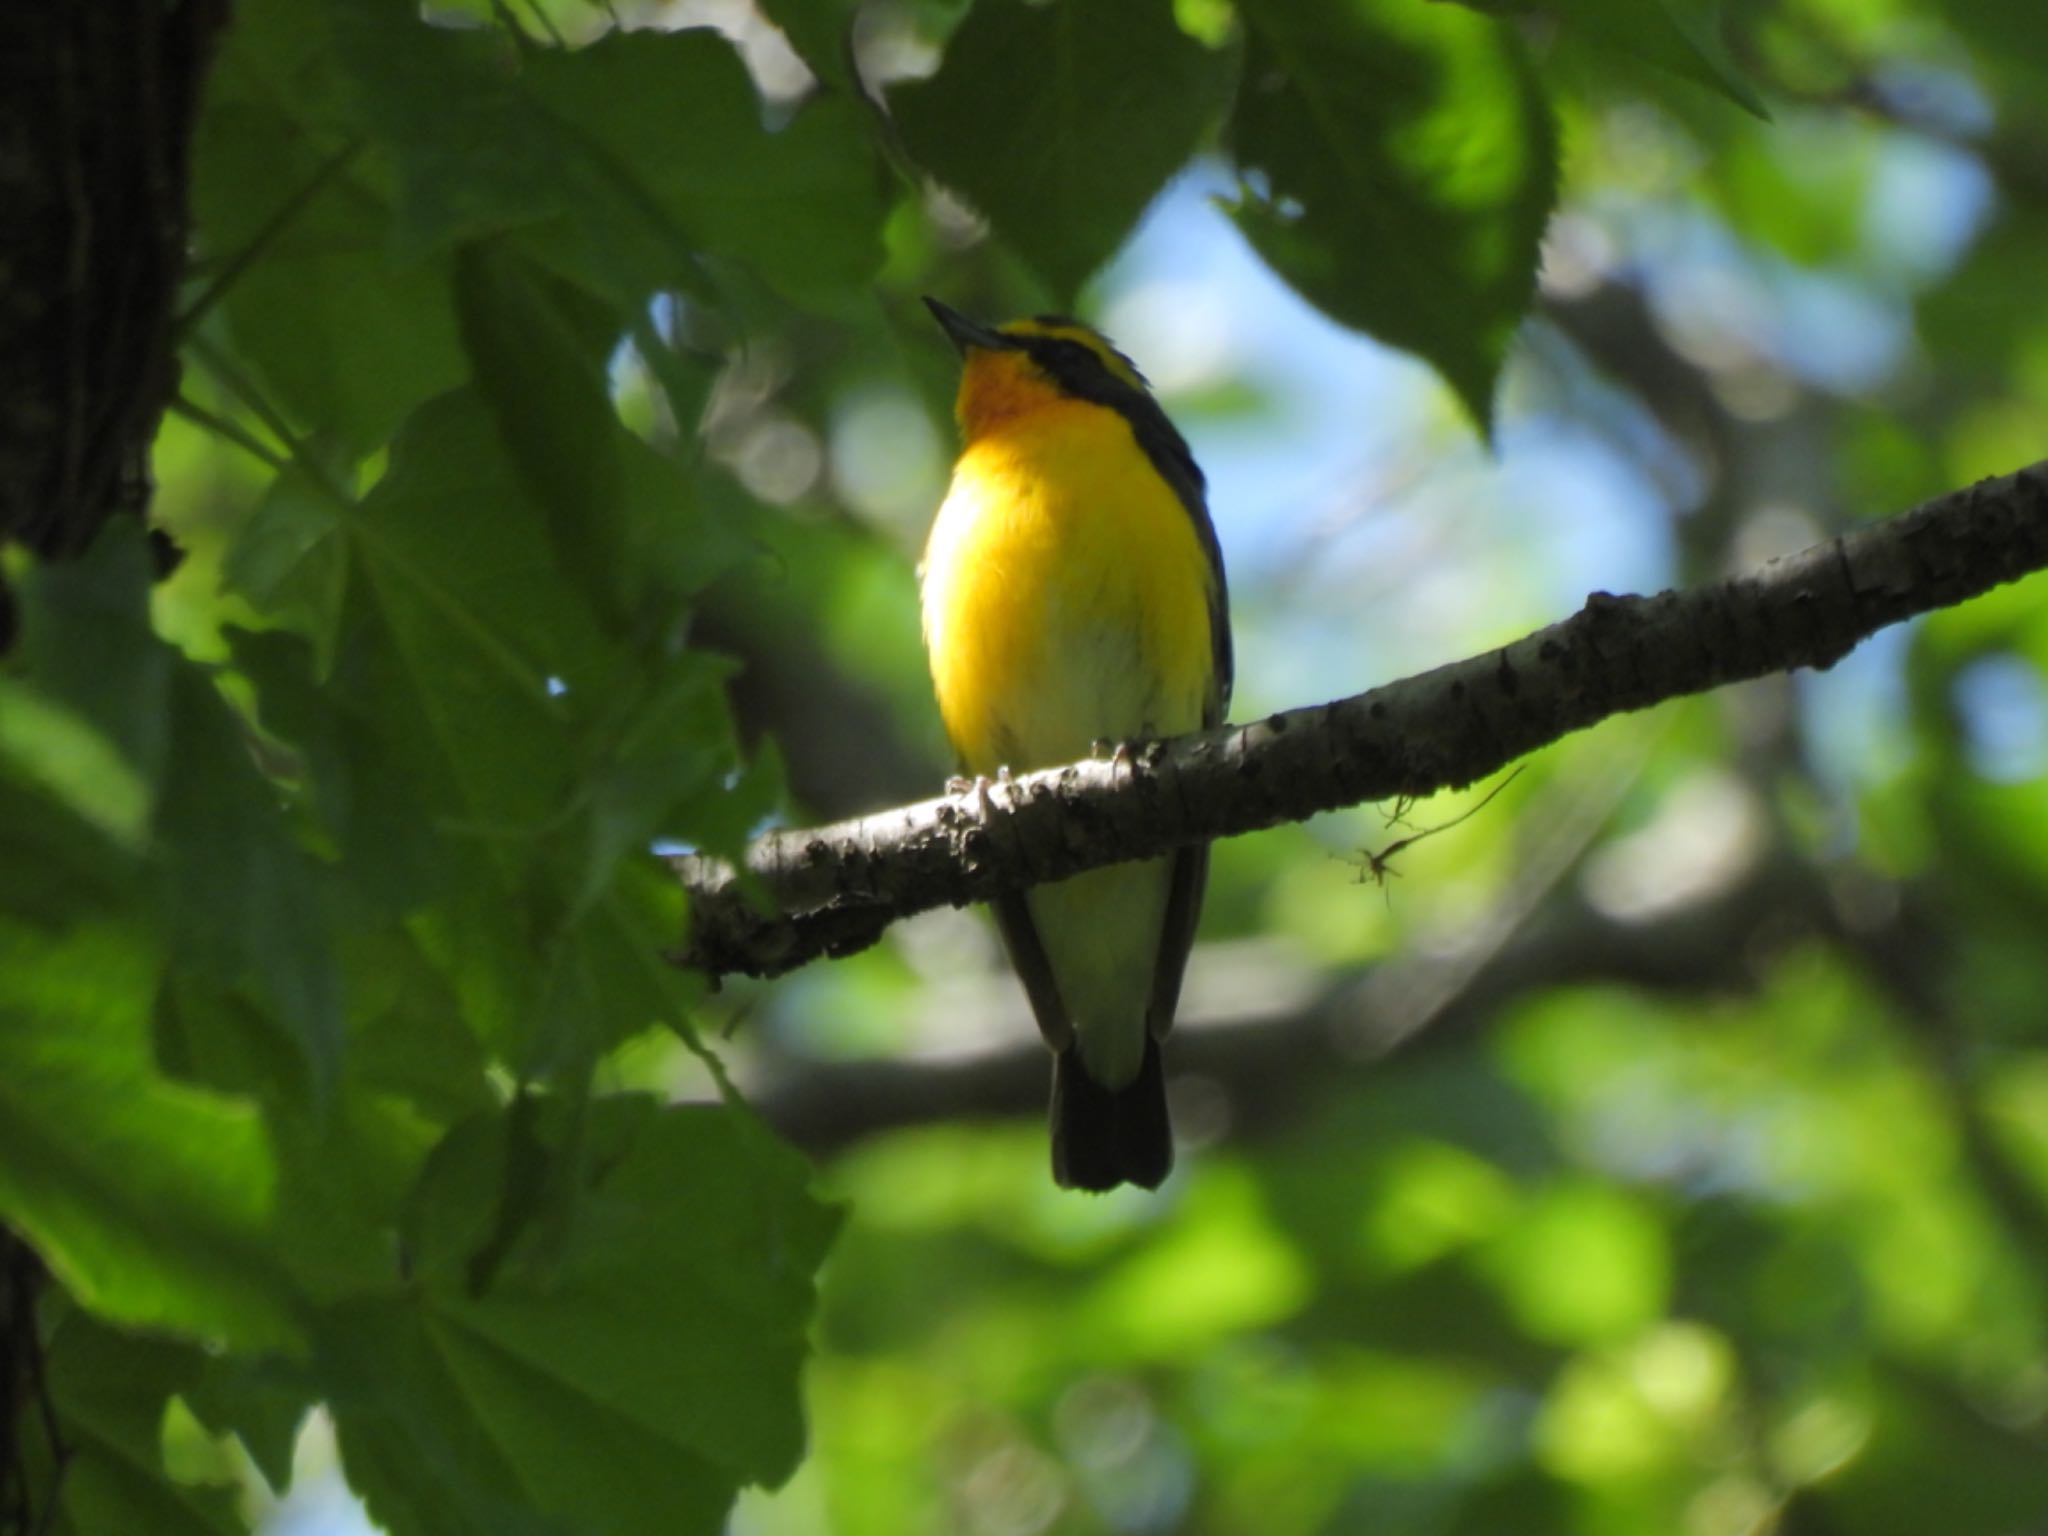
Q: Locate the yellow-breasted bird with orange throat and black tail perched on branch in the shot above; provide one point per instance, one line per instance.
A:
(1074, 595)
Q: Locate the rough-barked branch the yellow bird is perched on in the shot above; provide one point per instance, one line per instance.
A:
(835, 890)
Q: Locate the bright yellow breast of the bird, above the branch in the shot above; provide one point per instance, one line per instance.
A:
(1066, 595)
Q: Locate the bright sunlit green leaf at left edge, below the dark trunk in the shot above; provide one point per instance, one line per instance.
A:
(148, 1199)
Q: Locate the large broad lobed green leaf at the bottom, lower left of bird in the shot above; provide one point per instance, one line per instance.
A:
(634, 1383)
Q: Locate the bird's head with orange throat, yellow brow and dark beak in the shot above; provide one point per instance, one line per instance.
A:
(1029, 366)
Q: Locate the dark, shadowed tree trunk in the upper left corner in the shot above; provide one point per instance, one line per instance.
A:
(97, 108)
